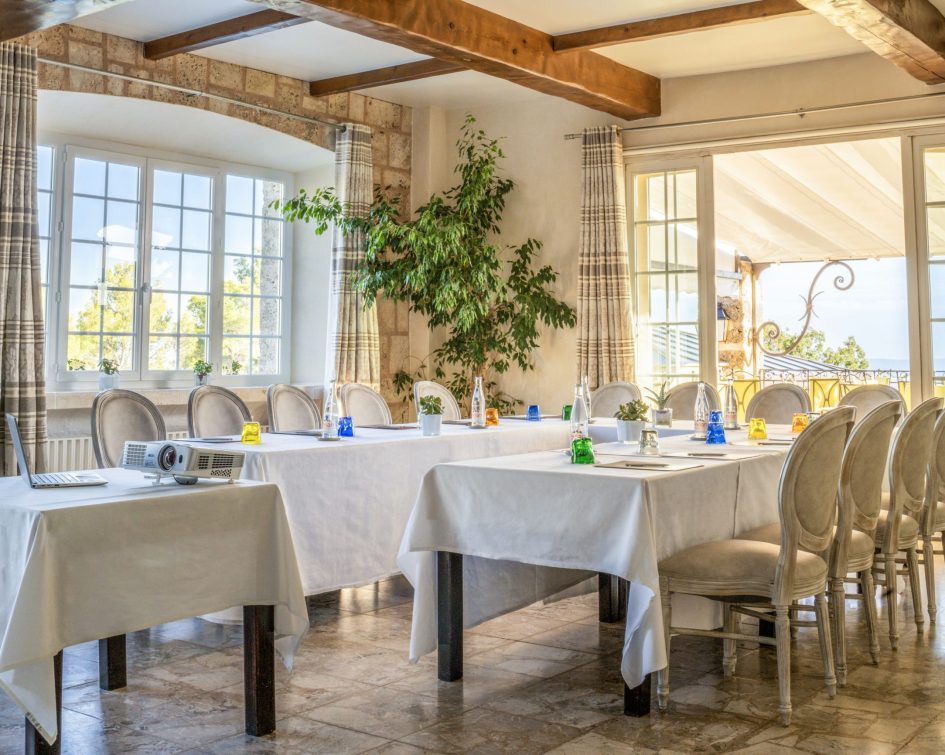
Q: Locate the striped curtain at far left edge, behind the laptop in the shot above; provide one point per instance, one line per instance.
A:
(22, 386)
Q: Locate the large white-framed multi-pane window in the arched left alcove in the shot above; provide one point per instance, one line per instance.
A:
(162, 264)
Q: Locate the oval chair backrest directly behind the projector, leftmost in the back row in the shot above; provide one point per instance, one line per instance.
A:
(119, 415)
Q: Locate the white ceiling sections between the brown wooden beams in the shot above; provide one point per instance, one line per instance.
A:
(314, 51)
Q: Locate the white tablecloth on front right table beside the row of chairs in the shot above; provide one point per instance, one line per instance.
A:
(513, 516)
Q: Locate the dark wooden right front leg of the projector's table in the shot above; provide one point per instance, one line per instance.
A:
(259, 669)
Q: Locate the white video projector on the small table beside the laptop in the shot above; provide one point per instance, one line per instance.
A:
(185, 463)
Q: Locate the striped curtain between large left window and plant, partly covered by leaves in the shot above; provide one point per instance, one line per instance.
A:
(353, 341)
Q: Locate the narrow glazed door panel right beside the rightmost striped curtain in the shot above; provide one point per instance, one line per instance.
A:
(666, 276)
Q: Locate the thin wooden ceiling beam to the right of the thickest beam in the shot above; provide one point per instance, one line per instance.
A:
(682, 23)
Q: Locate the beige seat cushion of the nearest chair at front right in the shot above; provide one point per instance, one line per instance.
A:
(738, 567)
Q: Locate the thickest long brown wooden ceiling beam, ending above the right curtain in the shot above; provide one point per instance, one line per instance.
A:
(464, 34)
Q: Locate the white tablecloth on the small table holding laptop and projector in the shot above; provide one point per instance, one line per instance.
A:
(82, 564)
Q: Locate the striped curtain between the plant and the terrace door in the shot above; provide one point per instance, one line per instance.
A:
(605, 328)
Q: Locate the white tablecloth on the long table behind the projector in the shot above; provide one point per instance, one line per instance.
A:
(348, 501)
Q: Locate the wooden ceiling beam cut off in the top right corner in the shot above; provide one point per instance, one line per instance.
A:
(909, 33)
